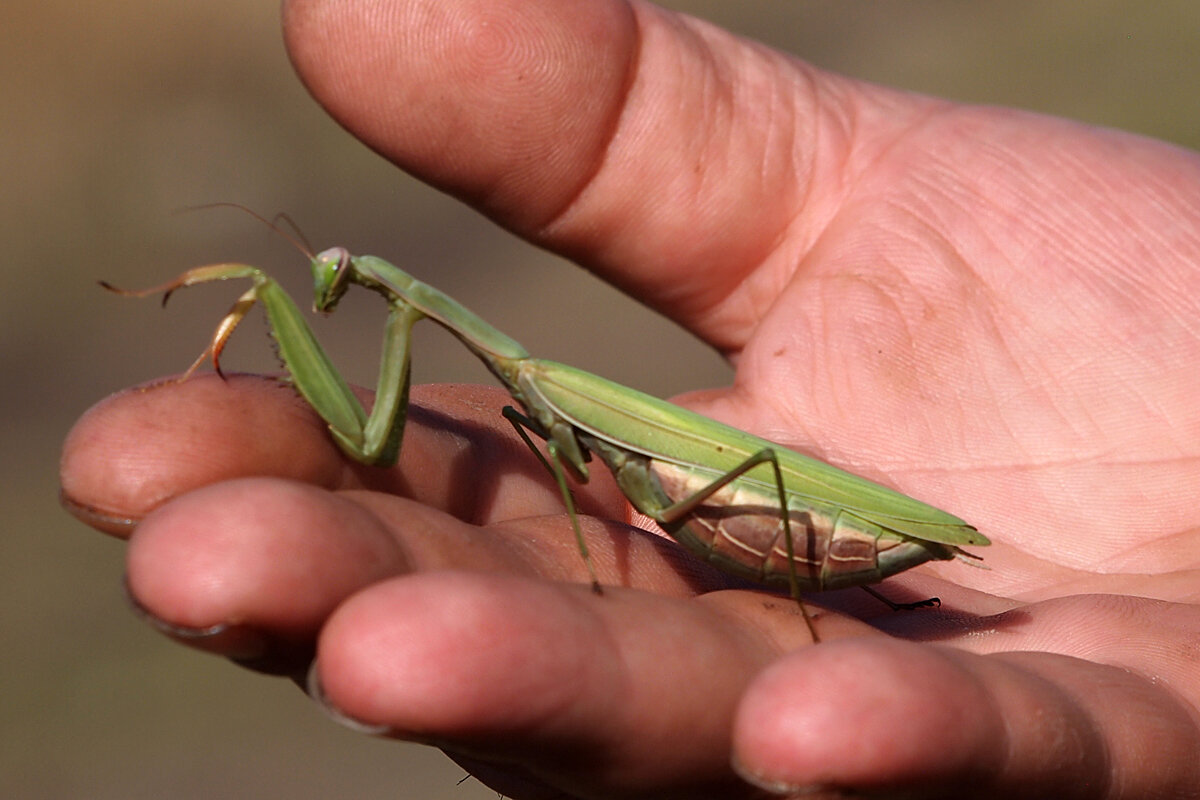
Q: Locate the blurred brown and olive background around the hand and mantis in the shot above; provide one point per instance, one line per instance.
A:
(118, 115)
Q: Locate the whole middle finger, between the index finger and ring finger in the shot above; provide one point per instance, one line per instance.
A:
(253, 568)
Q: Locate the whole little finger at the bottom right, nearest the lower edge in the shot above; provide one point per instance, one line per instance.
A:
(889, 715)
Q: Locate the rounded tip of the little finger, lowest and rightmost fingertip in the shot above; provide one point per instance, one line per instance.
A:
(863, 714)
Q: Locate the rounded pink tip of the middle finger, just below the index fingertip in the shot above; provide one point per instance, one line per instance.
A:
(272, 555)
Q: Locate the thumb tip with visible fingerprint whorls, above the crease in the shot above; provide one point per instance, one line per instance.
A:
(479, 98)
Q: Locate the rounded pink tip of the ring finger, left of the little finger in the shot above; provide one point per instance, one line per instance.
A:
(452, 655)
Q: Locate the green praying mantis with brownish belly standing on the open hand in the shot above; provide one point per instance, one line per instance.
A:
(748, 507)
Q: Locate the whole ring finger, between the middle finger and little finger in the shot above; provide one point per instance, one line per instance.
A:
(578, 690)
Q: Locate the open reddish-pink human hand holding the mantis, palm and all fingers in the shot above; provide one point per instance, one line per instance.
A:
(989, 310)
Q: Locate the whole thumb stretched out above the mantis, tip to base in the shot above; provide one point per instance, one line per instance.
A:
(641, 142)
